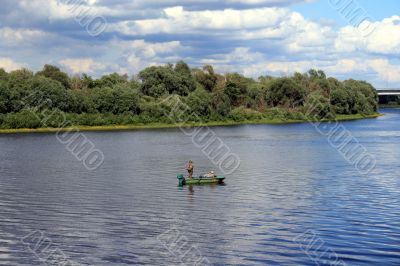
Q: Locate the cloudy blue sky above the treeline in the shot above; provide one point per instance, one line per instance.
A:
(357, 39)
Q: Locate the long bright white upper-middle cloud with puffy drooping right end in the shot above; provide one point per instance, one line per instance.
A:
(279, 25)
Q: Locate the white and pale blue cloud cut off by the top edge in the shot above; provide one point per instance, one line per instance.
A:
(67, 9)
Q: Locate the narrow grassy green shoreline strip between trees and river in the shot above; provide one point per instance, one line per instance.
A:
(194, 124)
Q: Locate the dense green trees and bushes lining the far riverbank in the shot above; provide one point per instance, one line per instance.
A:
(116, 99)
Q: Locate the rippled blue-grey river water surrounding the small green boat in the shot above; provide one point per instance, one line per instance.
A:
(290, 181)
